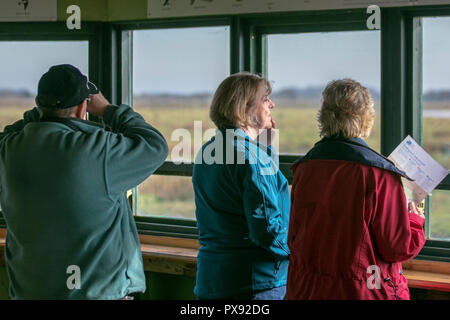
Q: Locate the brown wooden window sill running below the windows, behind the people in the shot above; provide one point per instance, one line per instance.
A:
(179, 257)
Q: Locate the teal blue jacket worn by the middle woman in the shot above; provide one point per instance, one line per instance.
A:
(242, 209)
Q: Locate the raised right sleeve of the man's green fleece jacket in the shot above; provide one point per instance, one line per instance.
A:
(134, 149)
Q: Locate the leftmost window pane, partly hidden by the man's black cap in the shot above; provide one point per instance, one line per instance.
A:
(22, 64)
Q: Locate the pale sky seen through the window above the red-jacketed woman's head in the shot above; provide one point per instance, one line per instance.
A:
(313, 59)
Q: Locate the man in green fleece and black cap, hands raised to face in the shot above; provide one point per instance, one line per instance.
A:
(63, 182)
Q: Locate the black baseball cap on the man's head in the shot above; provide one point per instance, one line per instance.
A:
(63, 86)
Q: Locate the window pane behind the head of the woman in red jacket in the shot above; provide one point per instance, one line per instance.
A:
(300, 66)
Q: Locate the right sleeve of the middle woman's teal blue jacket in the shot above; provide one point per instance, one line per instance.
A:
(263, 214)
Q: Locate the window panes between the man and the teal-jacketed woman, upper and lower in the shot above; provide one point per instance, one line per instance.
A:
(175, 74)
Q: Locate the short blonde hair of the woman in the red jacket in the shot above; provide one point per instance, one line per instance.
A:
(347, 110)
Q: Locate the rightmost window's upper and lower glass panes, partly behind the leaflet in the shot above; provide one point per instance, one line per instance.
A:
(436, 114)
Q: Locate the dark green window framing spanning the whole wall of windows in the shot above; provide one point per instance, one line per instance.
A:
(401, 108)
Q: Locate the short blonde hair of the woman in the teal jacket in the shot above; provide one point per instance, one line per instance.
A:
(233, 102)
